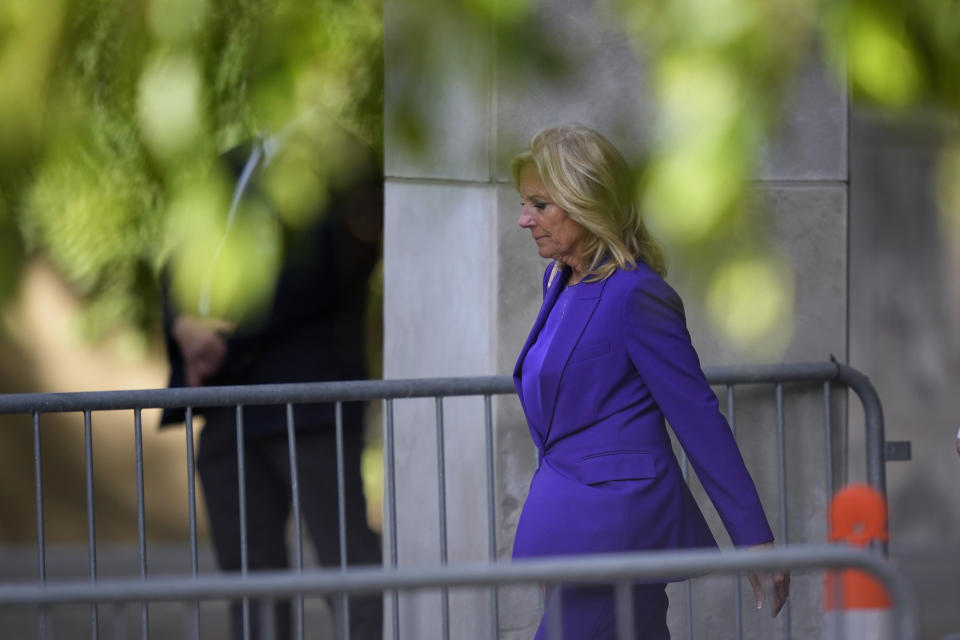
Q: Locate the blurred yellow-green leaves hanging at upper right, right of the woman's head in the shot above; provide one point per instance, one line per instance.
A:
(721, 73)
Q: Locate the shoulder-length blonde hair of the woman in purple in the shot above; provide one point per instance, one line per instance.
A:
(587, 177)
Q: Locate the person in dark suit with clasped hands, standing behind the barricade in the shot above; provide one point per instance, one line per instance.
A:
(312, 331)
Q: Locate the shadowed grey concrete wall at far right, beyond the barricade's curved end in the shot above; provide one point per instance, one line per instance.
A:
(904, 314)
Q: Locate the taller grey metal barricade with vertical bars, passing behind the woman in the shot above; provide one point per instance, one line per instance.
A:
(828, 374)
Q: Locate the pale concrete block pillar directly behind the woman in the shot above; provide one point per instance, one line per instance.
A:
(462, 288)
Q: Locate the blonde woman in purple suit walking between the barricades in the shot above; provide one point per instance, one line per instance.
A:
(608, 359)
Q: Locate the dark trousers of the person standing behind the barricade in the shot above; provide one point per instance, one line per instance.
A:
(267, 499)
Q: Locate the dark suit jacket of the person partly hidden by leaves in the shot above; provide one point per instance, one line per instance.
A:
(314, 328)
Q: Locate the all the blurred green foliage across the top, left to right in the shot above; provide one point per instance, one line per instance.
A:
(113, 115)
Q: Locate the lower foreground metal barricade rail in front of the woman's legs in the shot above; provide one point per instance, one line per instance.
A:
(622, 570)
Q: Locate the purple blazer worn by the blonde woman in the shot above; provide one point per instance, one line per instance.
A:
(621, 361)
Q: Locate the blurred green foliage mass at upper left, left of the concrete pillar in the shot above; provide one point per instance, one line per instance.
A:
(113, 115)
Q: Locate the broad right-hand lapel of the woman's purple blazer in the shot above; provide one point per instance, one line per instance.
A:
(581, 306)
